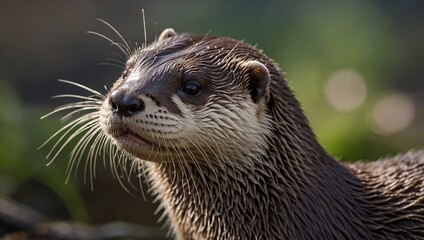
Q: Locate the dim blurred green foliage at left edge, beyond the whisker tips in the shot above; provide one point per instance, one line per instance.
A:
(21, 134)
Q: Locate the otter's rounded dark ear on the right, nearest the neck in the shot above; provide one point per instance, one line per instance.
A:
(259, 80)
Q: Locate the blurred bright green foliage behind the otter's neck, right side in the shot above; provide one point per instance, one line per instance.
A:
(344, 35)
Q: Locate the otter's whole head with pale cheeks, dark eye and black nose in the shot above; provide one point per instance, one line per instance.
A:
(189, 97)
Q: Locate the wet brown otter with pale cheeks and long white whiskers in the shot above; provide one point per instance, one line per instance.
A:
(227, 149)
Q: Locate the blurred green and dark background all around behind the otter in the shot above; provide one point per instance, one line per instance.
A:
(356, 66)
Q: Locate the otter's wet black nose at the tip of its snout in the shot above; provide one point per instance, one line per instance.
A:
(125, 104)
